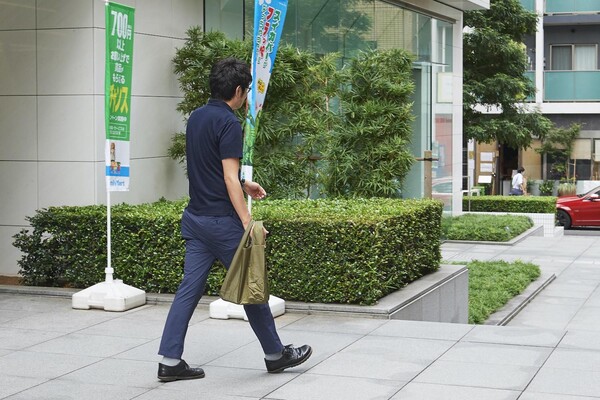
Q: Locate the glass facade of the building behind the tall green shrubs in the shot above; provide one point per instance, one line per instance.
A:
(350, 26)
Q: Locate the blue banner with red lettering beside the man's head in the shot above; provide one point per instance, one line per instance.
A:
(268, 25)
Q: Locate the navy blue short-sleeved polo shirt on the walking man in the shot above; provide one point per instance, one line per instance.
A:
(213, 134)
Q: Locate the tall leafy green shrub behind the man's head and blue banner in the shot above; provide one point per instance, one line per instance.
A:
(294, 119)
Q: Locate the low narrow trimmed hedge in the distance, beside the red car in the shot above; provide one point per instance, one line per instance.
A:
(516, 204)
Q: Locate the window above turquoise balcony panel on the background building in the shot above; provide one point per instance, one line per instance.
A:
(574, 57)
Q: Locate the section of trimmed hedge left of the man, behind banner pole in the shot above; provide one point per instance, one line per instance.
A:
(68, 246)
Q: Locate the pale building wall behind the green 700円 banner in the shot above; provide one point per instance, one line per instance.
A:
(52, 107)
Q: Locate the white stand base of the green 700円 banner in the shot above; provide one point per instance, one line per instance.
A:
(110, 296)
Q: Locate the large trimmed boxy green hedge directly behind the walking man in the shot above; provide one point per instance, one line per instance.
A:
(332, 251)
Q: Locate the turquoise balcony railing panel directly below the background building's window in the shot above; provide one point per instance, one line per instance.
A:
(571, 86)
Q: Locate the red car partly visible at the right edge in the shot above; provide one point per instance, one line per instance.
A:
(580, 210)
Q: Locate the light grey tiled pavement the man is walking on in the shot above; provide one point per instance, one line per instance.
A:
(549, 351)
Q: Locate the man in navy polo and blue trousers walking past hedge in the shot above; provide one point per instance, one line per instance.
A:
(214, 221)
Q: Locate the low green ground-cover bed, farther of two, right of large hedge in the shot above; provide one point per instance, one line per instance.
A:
(479, 227)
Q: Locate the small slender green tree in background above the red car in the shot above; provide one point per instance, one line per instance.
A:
(558, 145)
